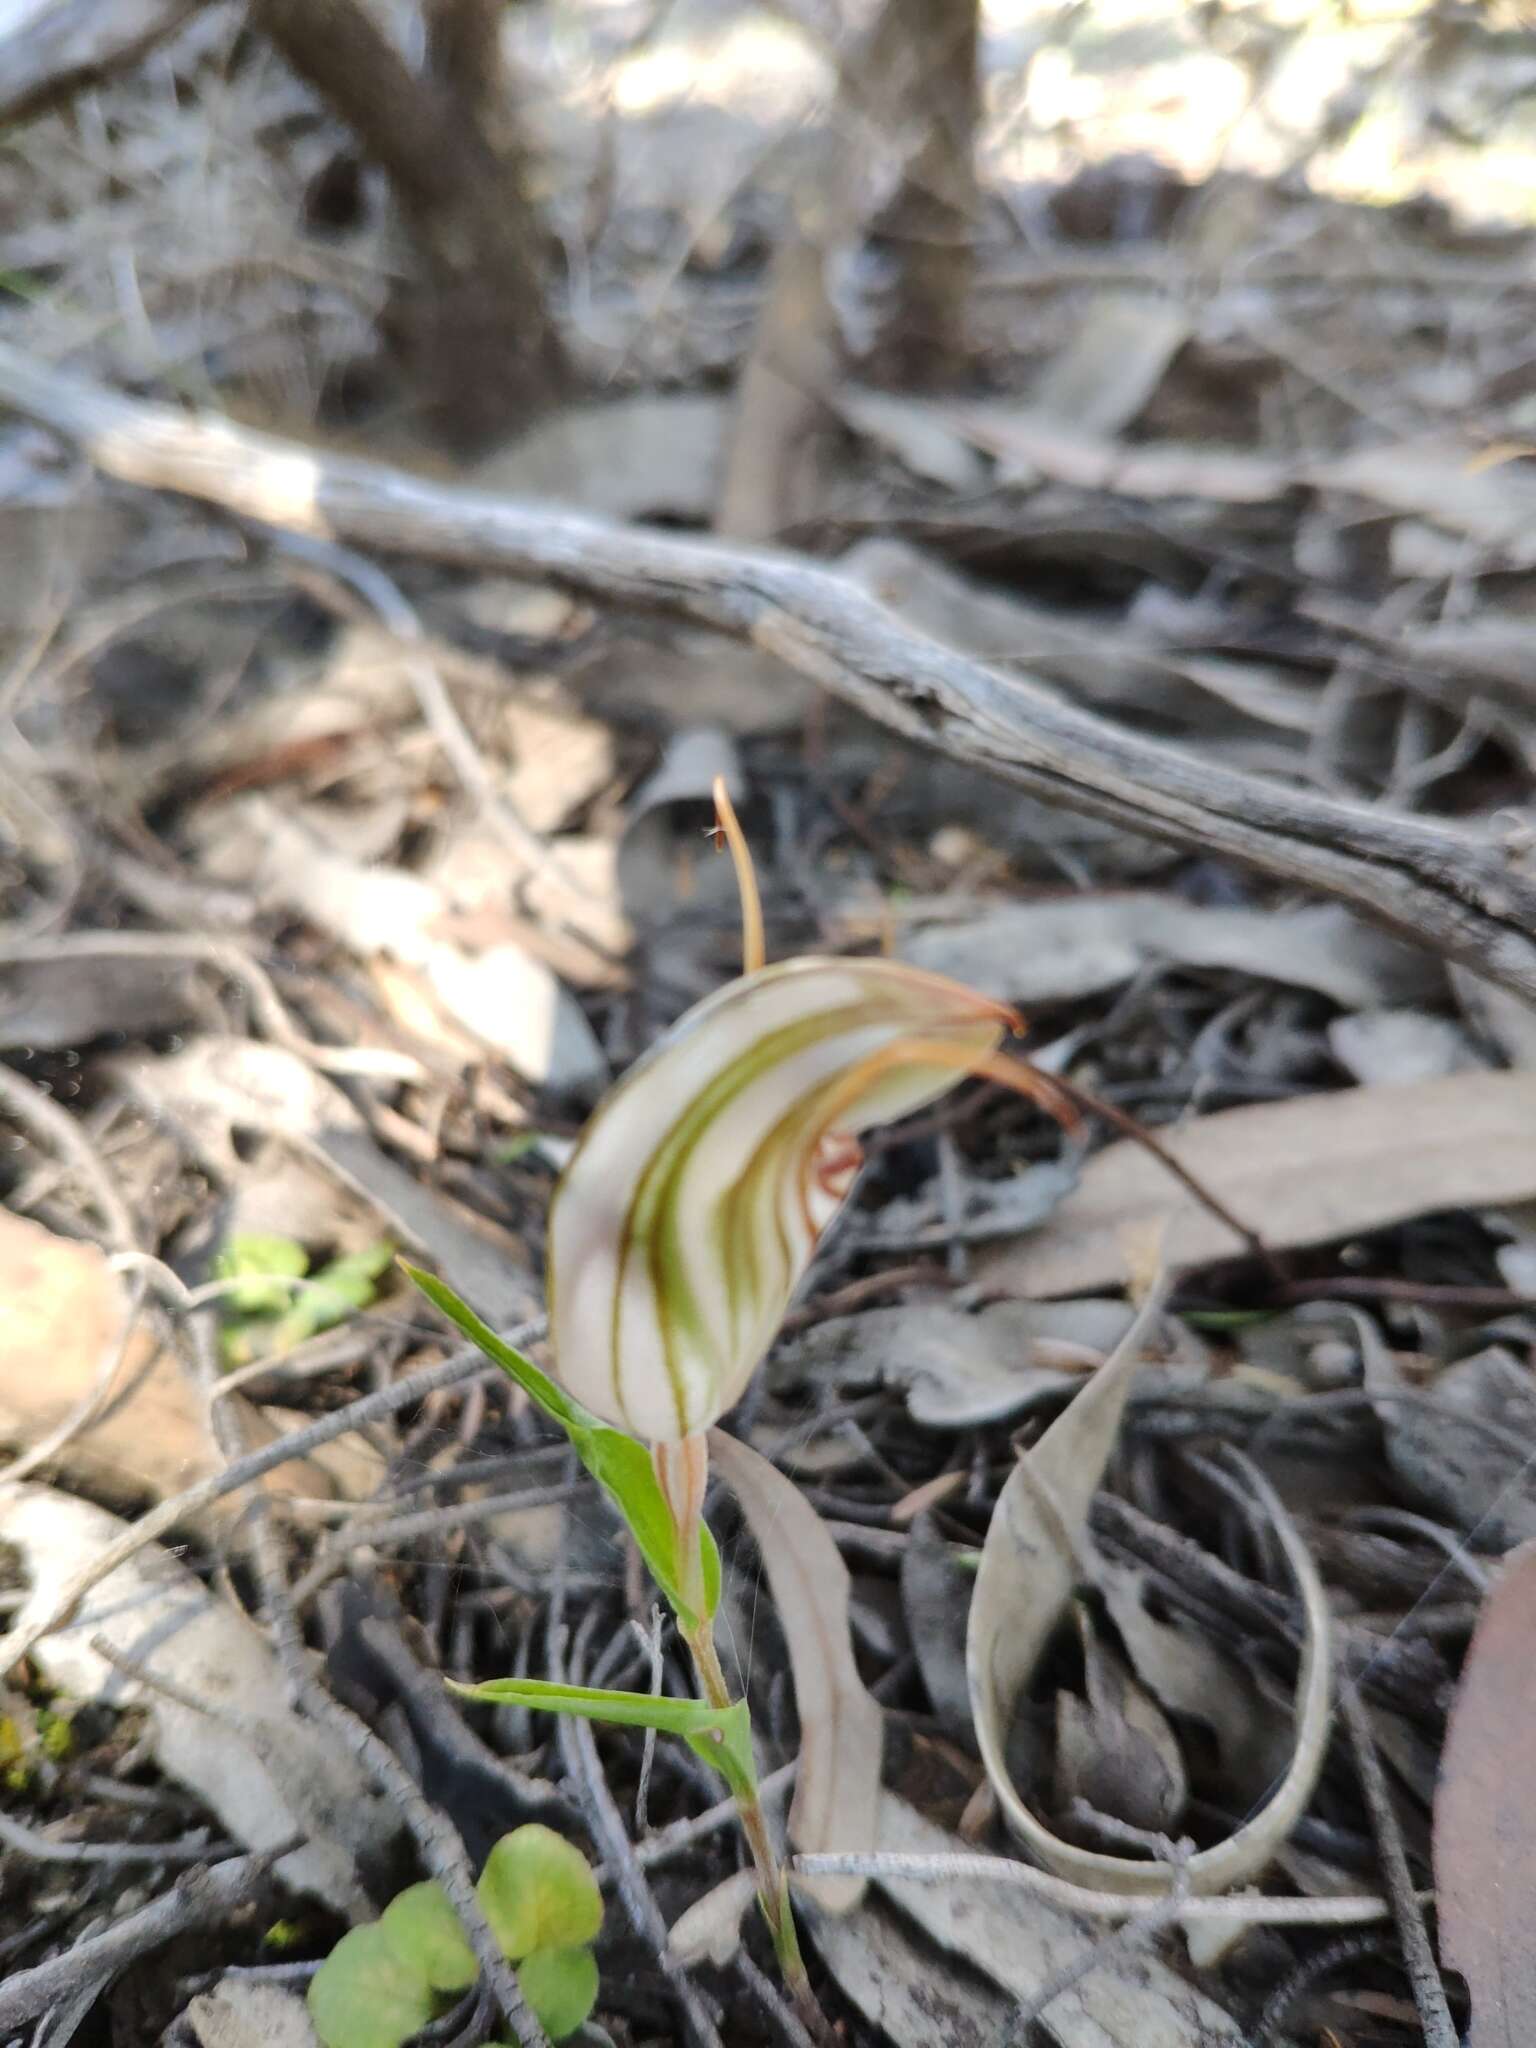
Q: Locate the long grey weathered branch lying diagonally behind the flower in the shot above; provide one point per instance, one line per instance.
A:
(1433, 884)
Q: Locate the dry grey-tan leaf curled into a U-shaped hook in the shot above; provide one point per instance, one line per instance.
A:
(1033, 1564)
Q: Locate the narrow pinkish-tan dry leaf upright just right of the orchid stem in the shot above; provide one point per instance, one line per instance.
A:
(843, 1730)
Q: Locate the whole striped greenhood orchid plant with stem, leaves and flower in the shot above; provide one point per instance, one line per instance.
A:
(679, 1234)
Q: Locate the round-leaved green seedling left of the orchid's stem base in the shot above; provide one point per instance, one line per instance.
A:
(392, 1977)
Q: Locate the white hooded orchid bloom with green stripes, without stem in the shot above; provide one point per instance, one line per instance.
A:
(706, 1179)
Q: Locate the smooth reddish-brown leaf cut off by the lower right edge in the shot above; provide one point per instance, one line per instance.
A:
(1486, 1818)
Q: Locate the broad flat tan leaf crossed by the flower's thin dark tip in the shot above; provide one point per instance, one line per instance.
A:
(1297, 1172)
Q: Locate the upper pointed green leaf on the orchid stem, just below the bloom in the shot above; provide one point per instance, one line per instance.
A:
(622, 1467)
